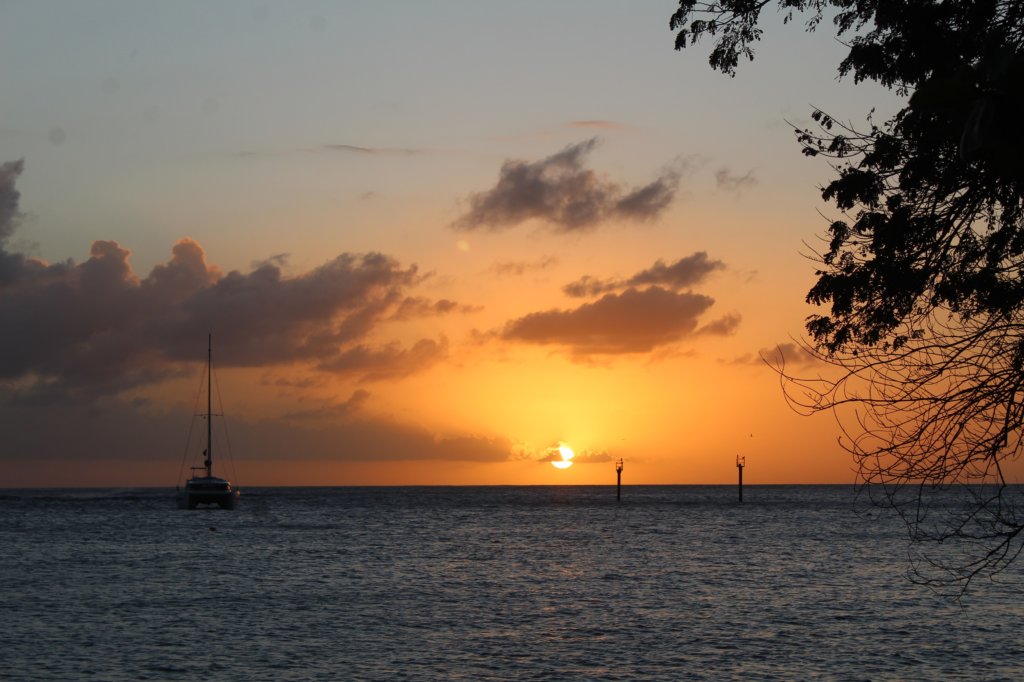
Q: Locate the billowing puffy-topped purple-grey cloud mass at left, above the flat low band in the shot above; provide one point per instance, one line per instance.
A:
(93, 329)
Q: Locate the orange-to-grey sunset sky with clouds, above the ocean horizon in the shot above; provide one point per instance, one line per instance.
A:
(433, 241)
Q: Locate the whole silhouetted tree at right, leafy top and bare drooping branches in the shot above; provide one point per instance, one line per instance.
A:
(923, 278)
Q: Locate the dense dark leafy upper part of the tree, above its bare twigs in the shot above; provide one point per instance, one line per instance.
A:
(931, 199)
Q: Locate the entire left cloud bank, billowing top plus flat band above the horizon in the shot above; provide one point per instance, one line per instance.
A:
(76, 335)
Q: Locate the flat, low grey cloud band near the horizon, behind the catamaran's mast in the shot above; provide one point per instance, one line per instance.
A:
(121, 431)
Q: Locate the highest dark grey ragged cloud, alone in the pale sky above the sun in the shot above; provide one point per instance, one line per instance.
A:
(561, 191)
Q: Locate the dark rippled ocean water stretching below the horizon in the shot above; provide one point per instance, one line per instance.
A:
(484, 583)
